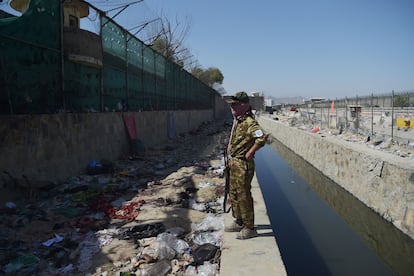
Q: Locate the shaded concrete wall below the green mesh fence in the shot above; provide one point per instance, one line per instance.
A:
(47, 148)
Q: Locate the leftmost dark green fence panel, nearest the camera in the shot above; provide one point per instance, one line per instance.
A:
(30, 60)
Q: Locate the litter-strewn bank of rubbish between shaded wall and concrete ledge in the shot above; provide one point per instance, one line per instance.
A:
(155, 214)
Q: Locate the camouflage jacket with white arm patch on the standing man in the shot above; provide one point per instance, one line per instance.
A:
(246, 132)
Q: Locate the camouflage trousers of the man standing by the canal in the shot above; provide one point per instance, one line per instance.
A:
(241, 175)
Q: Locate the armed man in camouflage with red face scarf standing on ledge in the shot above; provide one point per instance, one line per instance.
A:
(245, 139)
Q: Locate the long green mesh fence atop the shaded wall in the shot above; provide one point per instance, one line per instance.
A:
(33, 70)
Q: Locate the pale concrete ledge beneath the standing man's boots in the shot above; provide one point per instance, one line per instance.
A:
(256, 256)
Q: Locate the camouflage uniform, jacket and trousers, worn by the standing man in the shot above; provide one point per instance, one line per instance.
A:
(245, 133)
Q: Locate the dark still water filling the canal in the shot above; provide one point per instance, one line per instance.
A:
(320, 228)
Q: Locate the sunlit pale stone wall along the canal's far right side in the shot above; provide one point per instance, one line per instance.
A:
(380, 180)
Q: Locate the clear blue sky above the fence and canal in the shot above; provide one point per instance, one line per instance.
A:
(286, 48)
